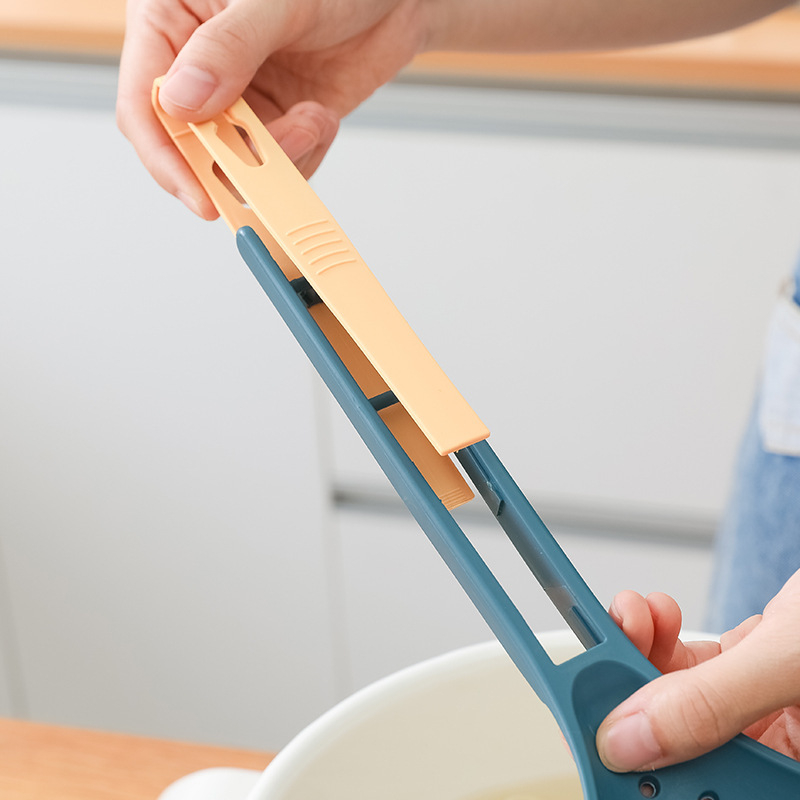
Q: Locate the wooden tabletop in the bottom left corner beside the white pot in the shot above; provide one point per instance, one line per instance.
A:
(47, 762)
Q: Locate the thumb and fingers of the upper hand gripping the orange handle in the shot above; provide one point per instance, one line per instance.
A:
(212, 69)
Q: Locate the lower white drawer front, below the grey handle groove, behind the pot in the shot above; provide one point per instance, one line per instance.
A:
(402, 605)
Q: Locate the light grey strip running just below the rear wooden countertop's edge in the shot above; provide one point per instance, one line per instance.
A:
(708, 121)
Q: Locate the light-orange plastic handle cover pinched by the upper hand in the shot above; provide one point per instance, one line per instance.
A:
(252, 182)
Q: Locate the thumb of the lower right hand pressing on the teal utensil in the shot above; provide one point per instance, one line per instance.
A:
(684, 714)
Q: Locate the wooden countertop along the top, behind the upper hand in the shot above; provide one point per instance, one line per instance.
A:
(760, 58)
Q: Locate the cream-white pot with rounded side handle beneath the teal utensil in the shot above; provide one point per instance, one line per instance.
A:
(456, 727)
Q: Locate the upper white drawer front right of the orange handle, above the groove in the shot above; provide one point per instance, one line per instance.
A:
(599, 296)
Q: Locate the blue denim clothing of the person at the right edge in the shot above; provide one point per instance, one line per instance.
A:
(758, 544)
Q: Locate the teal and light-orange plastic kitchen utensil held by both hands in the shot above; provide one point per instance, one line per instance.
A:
(412, 419)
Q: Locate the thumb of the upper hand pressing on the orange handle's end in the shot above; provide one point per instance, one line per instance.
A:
(219, 60)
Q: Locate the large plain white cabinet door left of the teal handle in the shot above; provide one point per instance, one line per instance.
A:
(162, 510)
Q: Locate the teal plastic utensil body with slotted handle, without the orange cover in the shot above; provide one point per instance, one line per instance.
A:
(581, 691)
